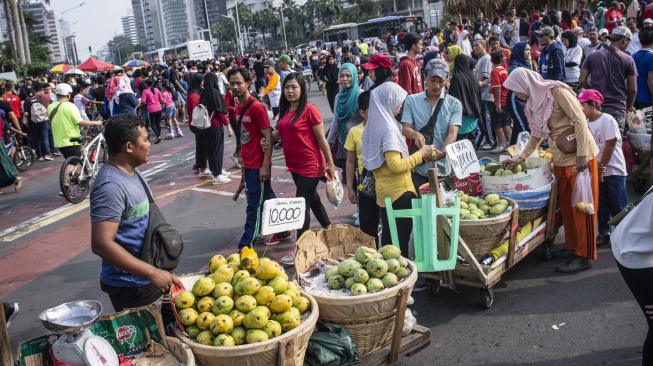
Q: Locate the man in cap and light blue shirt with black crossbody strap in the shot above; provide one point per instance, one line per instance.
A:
(435, 103)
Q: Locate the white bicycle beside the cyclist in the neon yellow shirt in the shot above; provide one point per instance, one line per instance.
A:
(78, 173)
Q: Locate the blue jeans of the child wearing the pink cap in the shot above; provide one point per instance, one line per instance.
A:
(612, 200)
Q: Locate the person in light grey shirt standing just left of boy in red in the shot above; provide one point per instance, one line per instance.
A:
(482, 73)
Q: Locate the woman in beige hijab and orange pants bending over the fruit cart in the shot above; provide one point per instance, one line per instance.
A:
(553, 111)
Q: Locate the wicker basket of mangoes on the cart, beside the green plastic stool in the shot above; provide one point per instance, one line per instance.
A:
(481, 236)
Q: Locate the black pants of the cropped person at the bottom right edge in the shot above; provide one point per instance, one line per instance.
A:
(640, 282)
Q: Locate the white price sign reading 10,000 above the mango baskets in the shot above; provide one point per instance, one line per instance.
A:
(282, 214)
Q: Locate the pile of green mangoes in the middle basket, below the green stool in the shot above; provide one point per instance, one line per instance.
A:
(369, 270)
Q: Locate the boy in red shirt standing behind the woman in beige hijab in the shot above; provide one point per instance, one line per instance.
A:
(500, 118)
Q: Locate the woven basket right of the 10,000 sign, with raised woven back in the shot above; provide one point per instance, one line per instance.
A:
(370, 319)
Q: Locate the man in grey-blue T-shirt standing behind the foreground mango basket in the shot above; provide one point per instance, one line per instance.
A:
(120, 214)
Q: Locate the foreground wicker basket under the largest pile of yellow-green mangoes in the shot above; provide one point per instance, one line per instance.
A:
(286, 350)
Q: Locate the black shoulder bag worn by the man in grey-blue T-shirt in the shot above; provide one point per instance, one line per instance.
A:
(163, 243)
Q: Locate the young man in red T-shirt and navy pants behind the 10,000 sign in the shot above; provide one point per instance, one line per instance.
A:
(252, 116)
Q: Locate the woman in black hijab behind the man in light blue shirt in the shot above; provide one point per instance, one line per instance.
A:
(465, 88)
